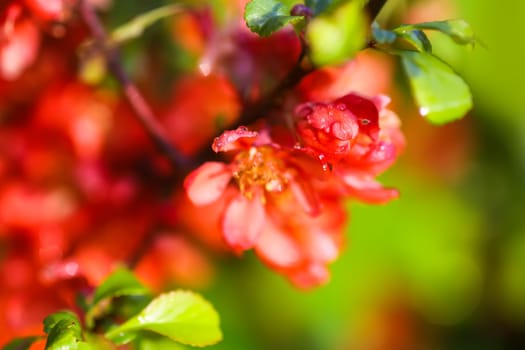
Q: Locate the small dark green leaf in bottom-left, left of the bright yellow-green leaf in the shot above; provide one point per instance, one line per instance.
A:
(64, 332)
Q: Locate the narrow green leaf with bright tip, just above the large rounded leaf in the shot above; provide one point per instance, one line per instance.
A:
(457, 29)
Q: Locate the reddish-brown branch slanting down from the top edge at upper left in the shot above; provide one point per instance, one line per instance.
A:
(140, 107)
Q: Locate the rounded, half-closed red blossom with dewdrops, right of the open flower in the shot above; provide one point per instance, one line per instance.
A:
(357, 138)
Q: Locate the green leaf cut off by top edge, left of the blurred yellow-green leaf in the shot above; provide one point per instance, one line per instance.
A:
(267, 16)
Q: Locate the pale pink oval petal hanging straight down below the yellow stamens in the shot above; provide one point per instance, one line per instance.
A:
(243, 222)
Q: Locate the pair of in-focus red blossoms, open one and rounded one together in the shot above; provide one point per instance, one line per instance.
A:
(285, 200)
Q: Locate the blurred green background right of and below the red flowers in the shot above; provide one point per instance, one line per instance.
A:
(444, 266)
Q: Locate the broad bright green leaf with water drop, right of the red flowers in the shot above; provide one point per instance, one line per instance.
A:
(441, 94)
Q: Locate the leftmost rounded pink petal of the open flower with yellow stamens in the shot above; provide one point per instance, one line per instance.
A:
(205, 184)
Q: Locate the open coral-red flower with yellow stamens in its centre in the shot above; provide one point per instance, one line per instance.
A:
(263, 211)
